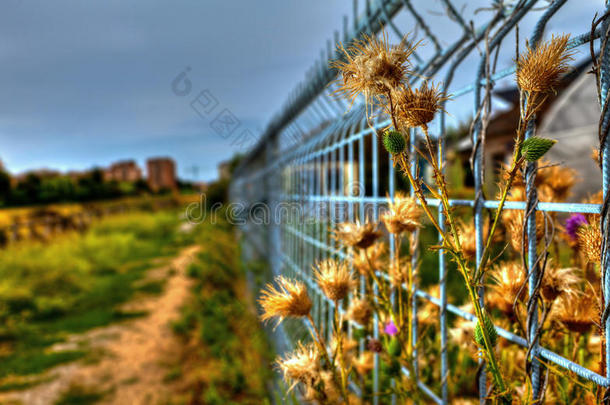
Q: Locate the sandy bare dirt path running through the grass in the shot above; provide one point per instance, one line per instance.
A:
(132, 358)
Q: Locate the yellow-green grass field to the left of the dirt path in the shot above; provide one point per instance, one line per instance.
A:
(75, 283)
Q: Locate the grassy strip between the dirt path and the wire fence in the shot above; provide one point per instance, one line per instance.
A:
(232, 351)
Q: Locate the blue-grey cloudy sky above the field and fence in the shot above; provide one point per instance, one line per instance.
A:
(88, 83)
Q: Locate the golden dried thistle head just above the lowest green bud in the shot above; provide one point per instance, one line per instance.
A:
(508, 279)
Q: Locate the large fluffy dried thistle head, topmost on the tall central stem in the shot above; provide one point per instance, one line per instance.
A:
(373, 67)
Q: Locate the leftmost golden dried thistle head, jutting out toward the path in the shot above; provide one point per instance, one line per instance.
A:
(289, 300)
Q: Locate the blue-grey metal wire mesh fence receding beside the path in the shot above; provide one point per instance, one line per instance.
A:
(317, 165)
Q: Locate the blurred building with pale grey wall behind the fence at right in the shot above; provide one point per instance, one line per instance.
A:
(571, 116)
